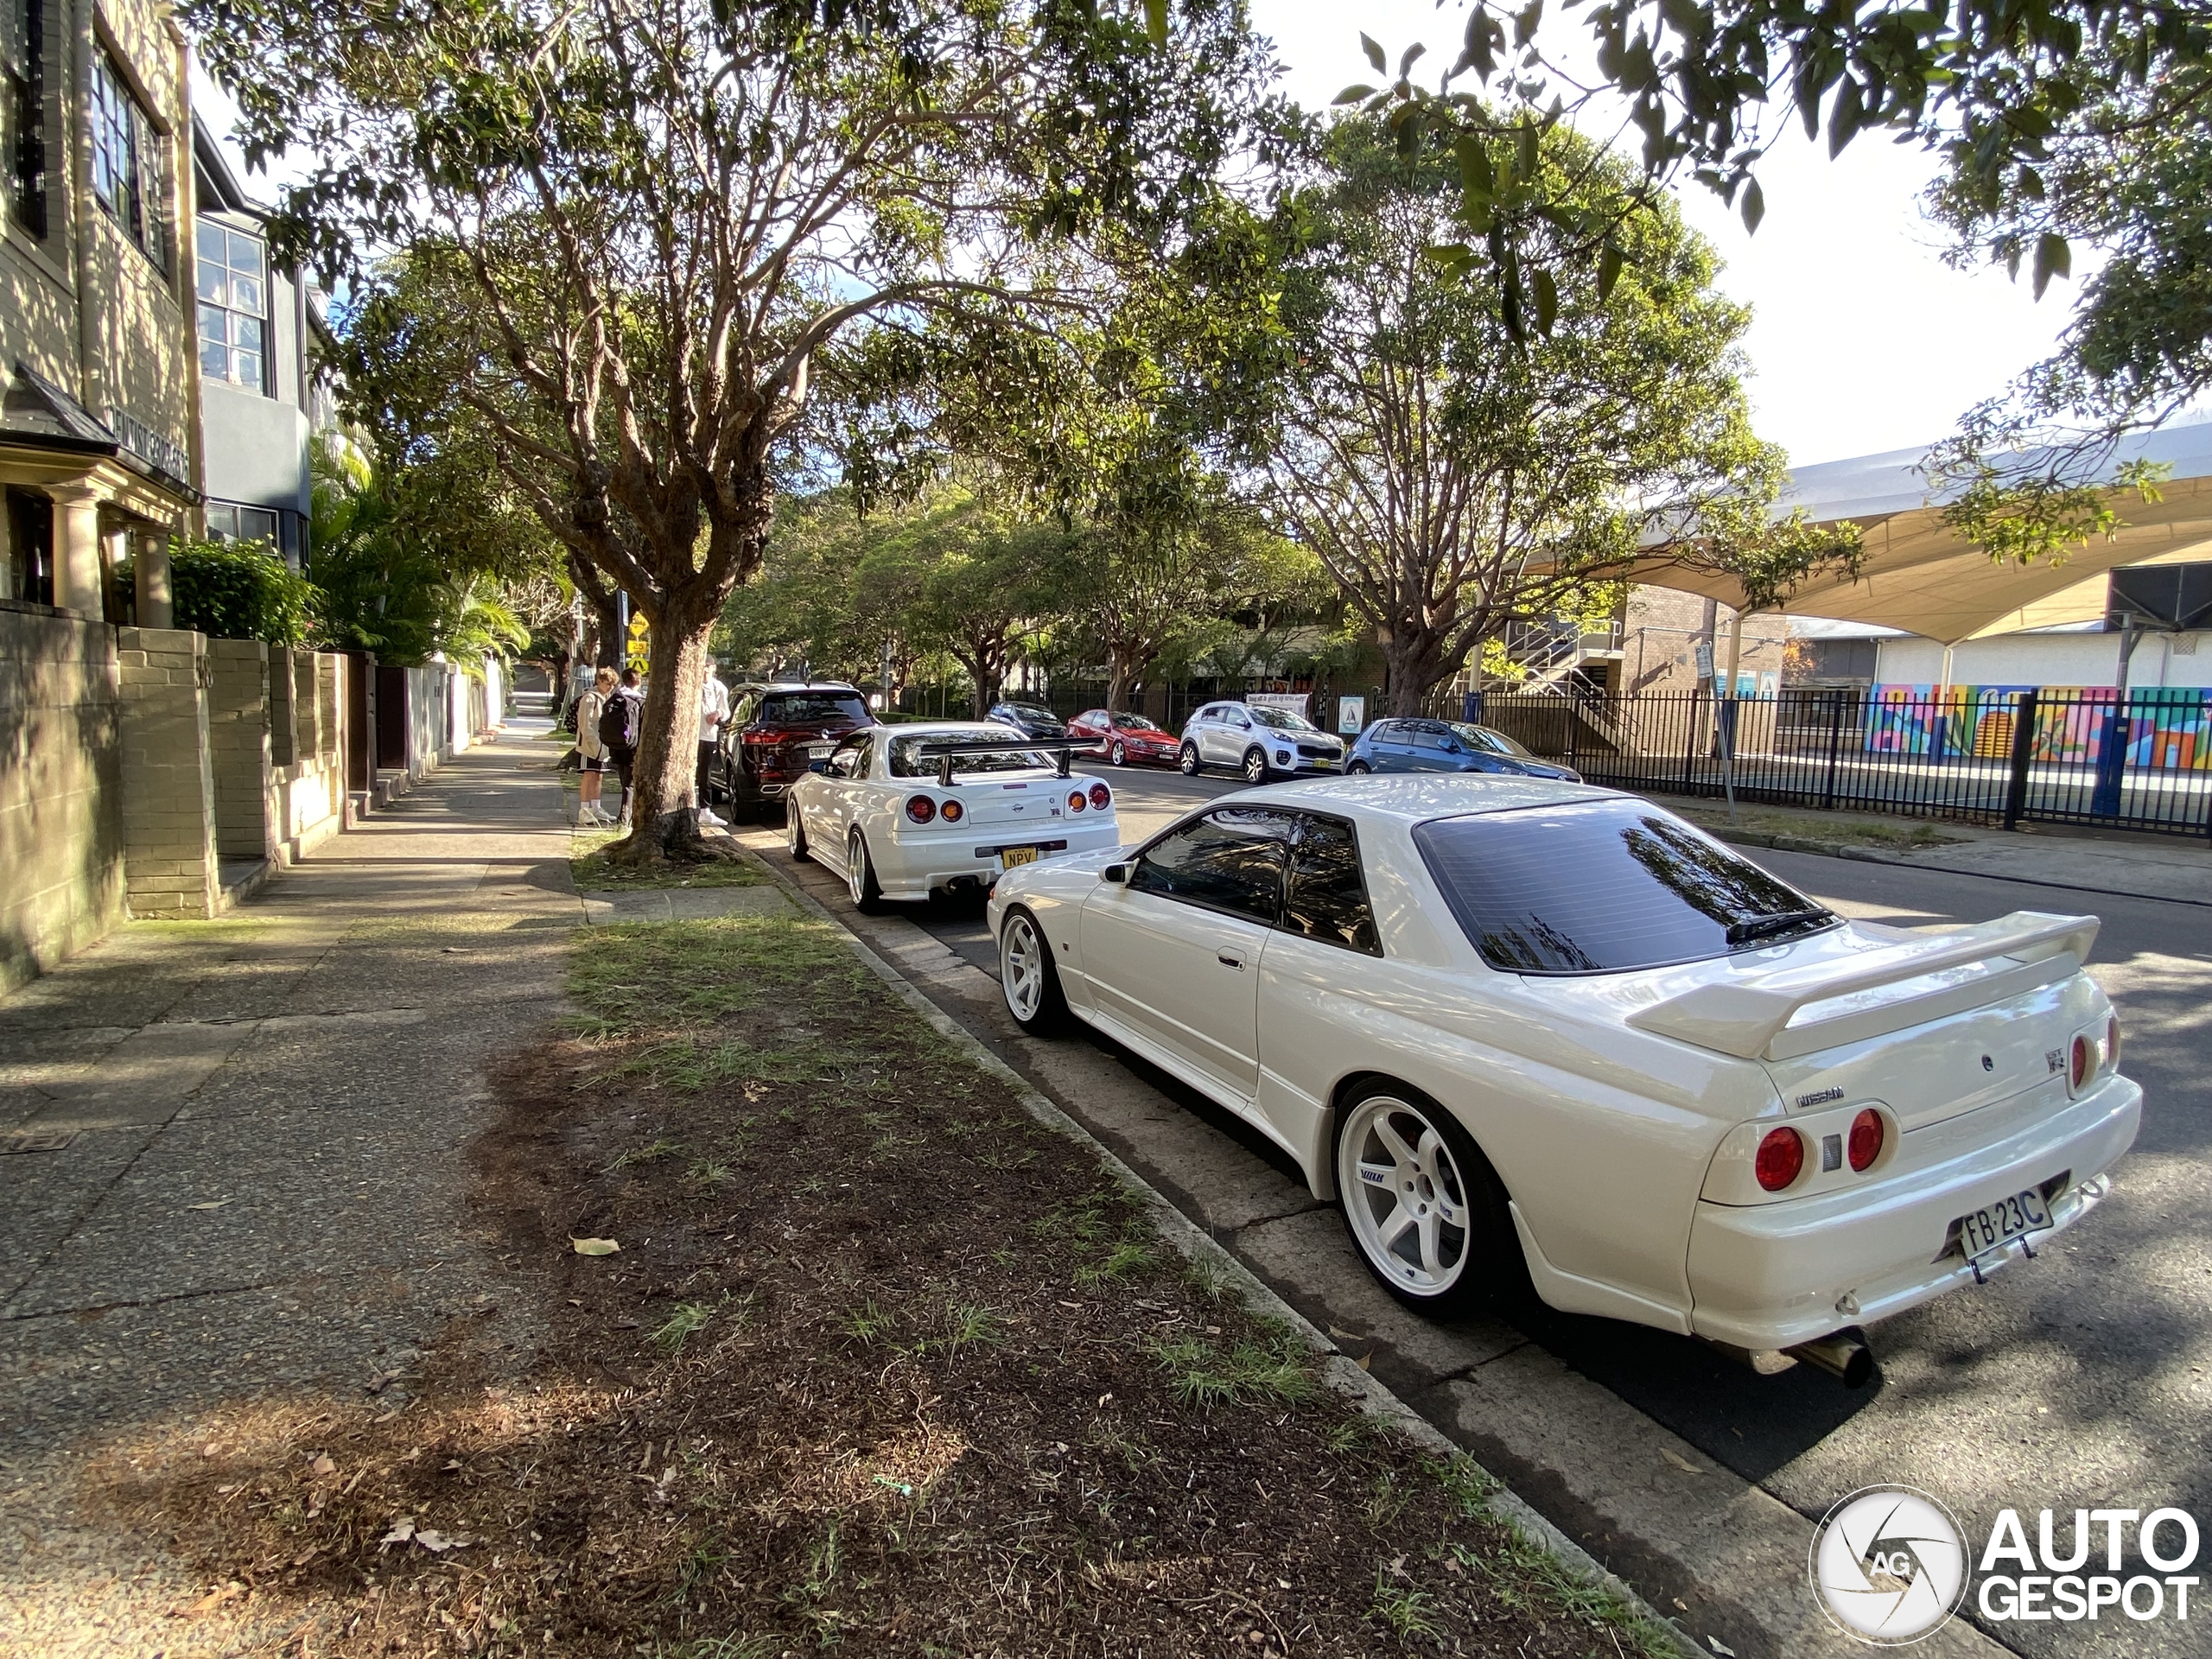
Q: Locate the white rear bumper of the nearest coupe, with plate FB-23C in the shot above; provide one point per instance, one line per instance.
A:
(1773, 1275)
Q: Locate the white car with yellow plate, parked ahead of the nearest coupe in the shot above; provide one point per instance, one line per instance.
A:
(888, 811)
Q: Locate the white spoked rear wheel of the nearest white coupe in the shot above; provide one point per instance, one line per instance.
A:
(1406, 1196)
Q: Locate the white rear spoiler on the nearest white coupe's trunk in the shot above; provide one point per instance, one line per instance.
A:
(1755, 1016)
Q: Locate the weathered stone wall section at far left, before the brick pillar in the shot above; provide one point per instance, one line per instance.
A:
(61, 795)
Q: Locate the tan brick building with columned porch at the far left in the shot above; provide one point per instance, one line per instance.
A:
(101, 410)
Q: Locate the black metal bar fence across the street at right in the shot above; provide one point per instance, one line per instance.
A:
(2138, 760)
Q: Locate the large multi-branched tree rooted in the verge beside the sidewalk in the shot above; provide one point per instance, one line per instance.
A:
(654, 227)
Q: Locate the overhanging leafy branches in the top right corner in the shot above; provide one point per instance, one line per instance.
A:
(2063, 125)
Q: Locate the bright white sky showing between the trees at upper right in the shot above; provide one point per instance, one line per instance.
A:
(1861, 337)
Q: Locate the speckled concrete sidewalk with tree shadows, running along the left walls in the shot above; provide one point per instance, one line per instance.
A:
(242, 1167)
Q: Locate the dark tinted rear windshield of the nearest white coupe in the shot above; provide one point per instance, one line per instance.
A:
(1605, 888)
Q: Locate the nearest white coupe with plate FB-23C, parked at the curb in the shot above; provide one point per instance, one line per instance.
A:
(1534, 1032)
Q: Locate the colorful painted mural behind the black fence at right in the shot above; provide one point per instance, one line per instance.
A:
(2169, 729)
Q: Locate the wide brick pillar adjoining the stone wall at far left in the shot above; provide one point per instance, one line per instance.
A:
(169, 804)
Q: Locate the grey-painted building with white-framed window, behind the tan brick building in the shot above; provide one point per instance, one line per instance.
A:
(260, 384)
